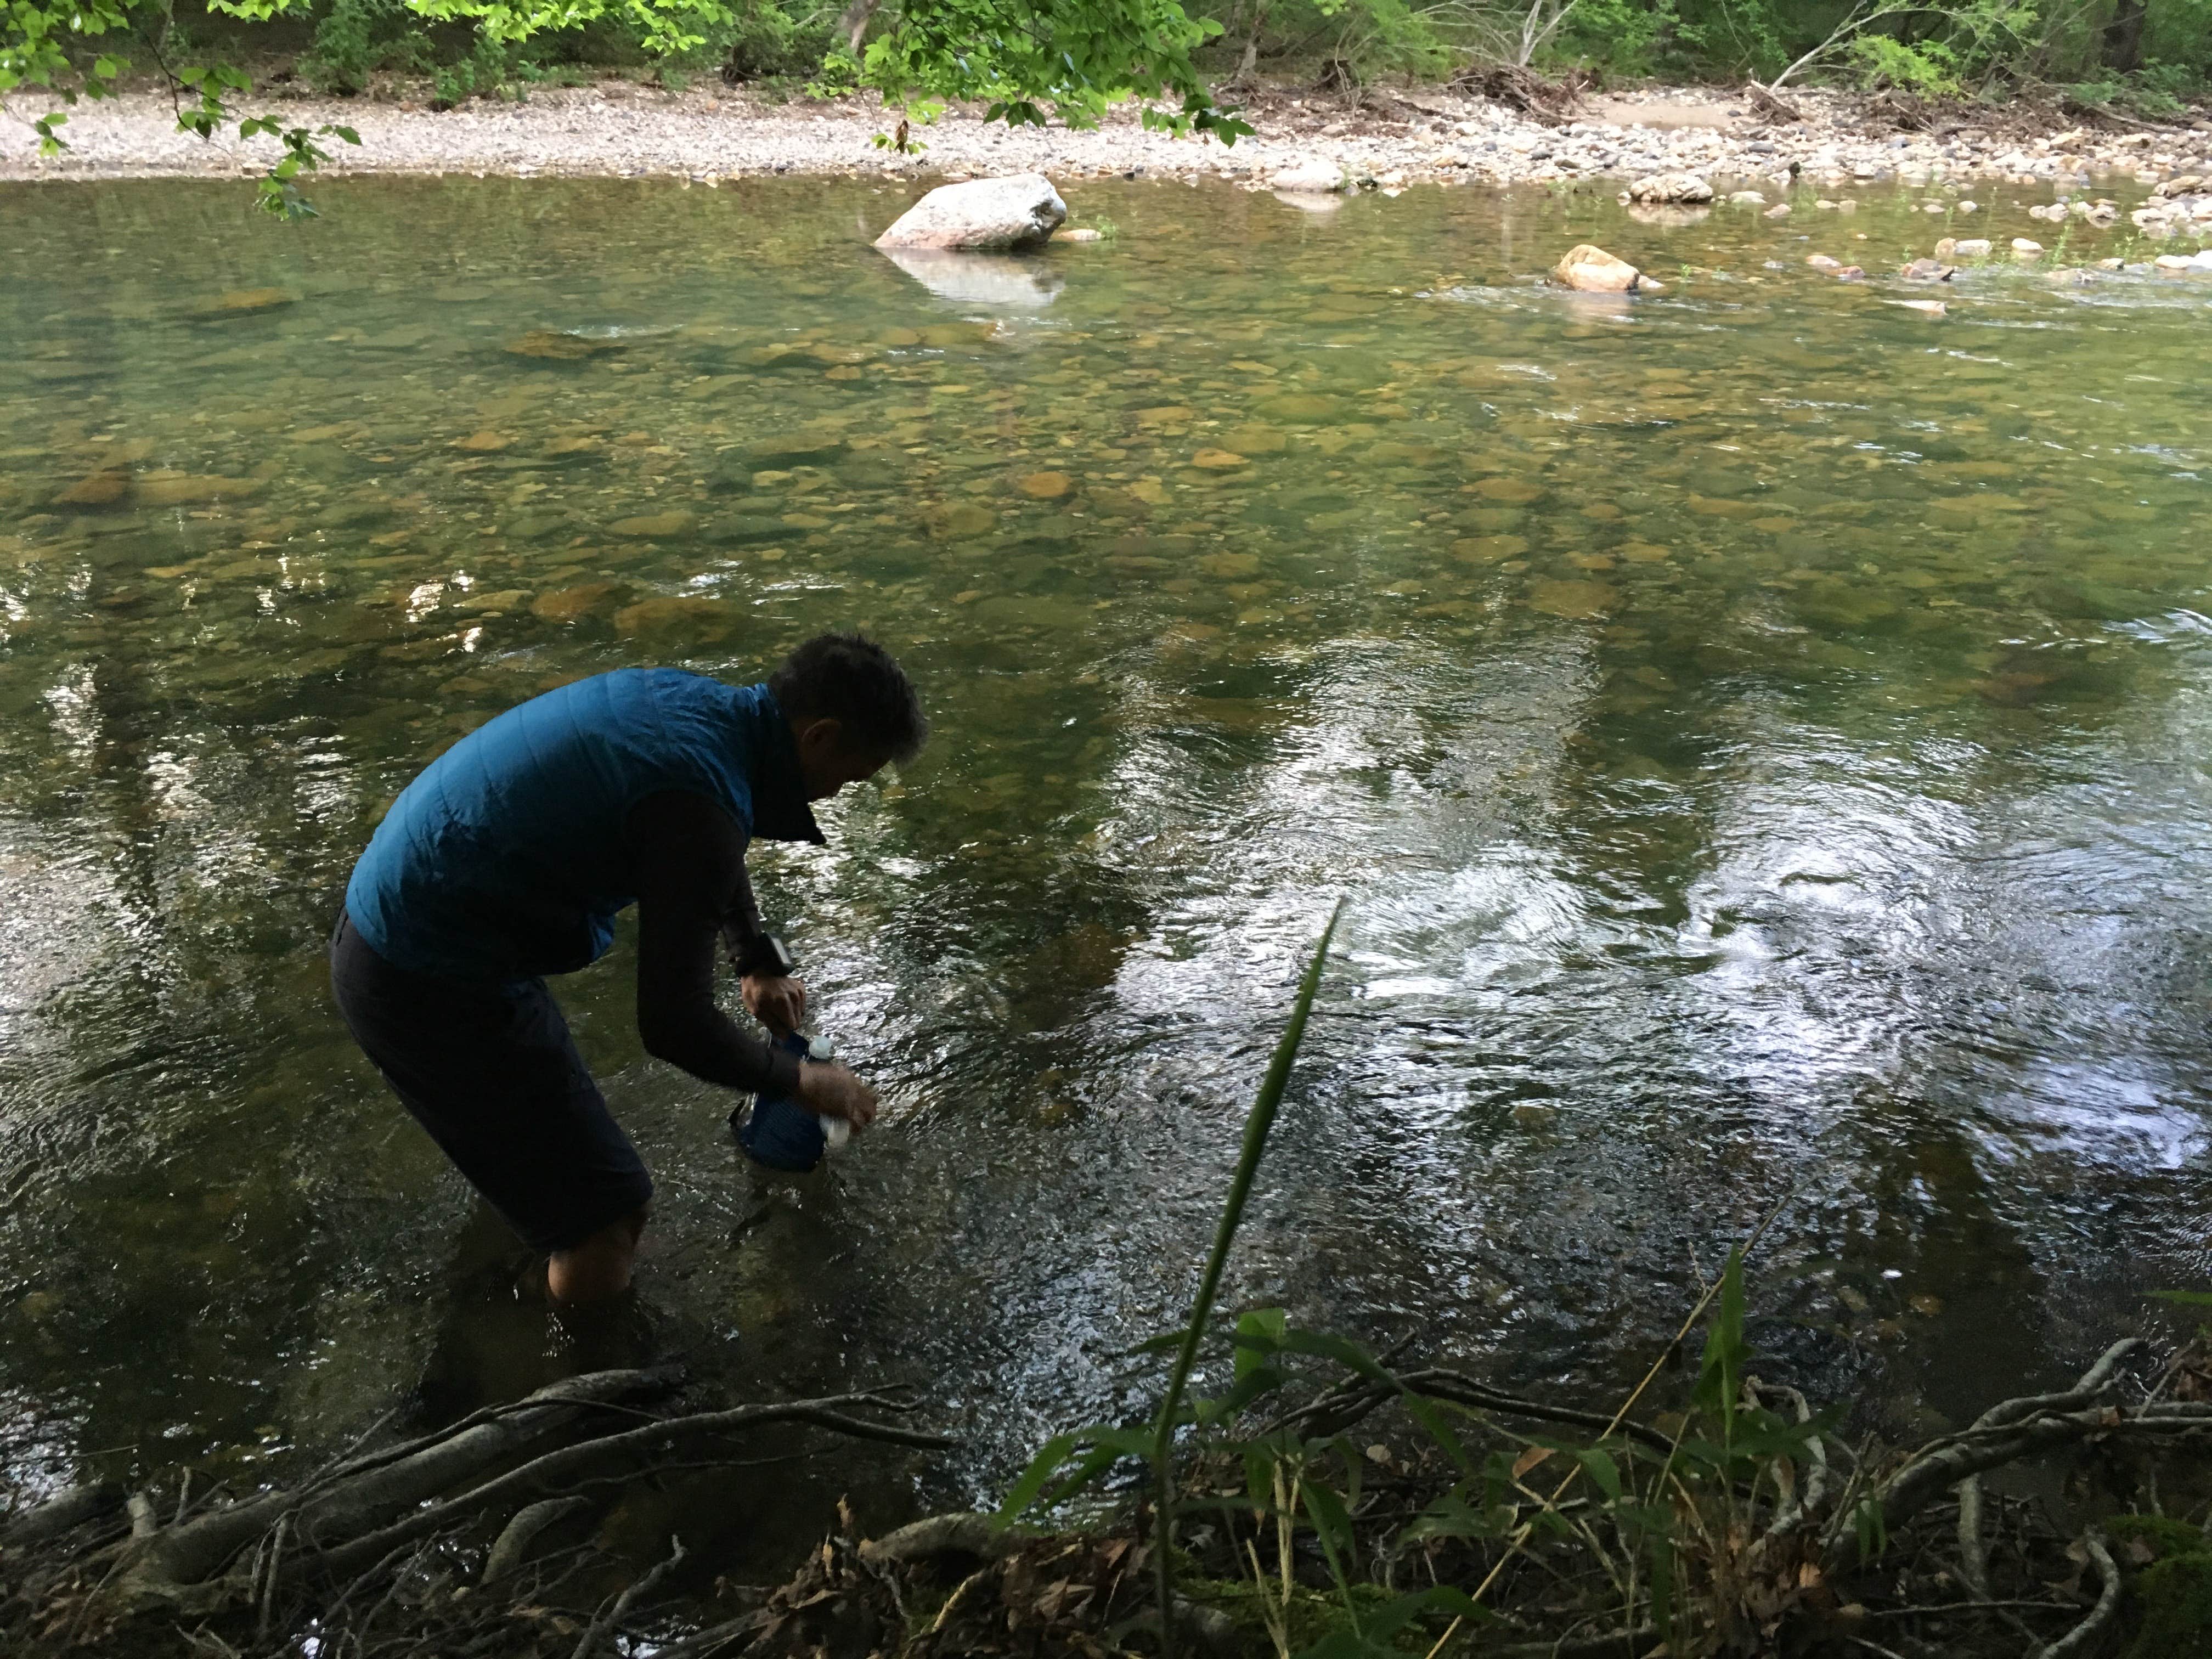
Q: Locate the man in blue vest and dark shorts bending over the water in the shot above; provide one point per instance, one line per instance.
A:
(510, 857)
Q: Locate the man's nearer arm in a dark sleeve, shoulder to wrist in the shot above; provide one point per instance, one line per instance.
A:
(691, 881)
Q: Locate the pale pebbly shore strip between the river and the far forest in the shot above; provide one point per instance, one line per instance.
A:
(713, 134)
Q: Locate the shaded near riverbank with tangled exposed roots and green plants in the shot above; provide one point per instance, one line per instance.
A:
(477, 1541)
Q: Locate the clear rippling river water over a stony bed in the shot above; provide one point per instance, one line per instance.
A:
(1760, 731)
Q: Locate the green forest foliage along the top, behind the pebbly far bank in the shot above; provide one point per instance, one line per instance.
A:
(1072, 59)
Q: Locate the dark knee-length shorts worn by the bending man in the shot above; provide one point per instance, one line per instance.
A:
(490, 1070)
